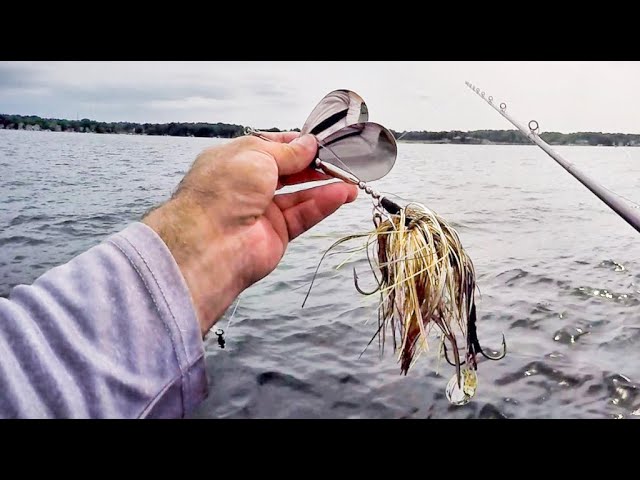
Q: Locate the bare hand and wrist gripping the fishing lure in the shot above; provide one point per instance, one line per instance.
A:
(225, 226)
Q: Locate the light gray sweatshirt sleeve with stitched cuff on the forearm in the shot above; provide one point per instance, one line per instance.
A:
(110, 334)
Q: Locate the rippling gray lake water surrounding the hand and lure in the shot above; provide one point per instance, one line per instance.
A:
(558, 272)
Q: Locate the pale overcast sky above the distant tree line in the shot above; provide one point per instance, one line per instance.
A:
(561, 96)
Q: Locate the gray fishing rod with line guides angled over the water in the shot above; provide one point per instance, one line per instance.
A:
(631, 216)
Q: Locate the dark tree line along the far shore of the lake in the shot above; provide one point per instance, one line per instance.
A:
(226, 130)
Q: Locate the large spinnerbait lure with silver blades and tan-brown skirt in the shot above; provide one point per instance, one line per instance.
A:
(425, 279)
